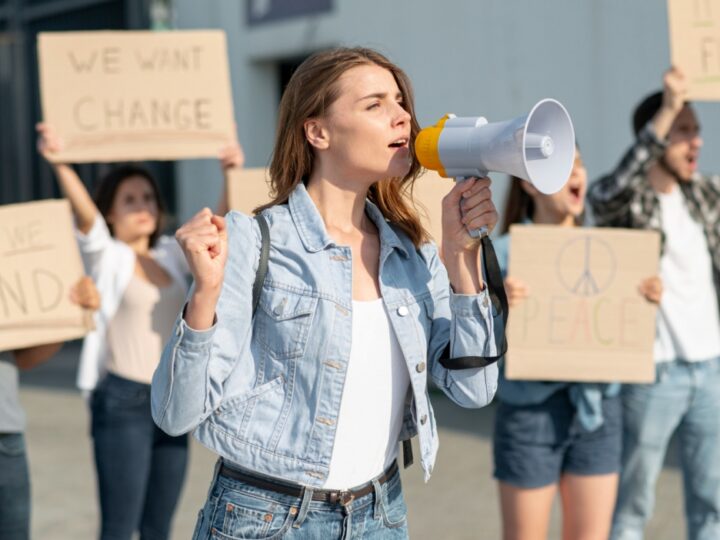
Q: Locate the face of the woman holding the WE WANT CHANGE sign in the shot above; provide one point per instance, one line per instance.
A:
(134, 213)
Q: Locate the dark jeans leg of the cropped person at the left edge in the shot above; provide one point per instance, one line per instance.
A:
(14, 488)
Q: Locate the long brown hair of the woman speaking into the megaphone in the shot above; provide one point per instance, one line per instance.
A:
(312, 89)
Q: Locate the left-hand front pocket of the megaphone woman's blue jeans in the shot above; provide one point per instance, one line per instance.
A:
(247, 516)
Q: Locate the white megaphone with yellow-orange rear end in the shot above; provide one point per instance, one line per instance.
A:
(538, 147)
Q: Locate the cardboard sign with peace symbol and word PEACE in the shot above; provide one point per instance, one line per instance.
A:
(584, 319)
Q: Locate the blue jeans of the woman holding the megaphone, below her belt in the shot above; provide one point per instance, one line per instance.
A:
(236, 510)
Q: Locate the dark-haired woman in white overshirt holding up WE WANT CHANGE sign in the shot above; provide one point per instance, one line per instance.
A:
(142, 277)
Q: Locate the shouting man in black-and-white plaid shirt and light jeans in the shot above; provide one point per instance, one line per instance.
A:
(657, 186)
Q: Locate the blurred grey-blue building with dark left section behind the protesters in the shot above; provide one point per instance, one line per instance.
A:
(494, 58)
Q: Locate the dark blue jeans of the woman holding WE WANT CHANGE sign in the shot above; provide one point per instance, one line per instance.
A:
(140, 469)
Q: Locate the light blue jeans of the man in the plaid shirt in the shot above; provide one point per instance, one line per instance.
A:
(686, 398)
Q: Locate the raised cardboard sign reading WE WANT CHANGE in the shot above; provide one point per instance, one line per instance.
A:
(123, 96)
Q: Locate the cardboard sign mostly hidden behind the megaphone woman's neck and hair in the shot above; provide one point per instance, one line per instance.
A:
(249, 188)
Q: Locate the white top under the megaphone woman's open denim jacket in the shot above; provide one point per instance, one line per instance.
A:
(373, 400)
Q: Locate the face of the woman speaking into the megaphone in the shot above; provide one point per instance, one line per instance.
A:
(367, 130)
